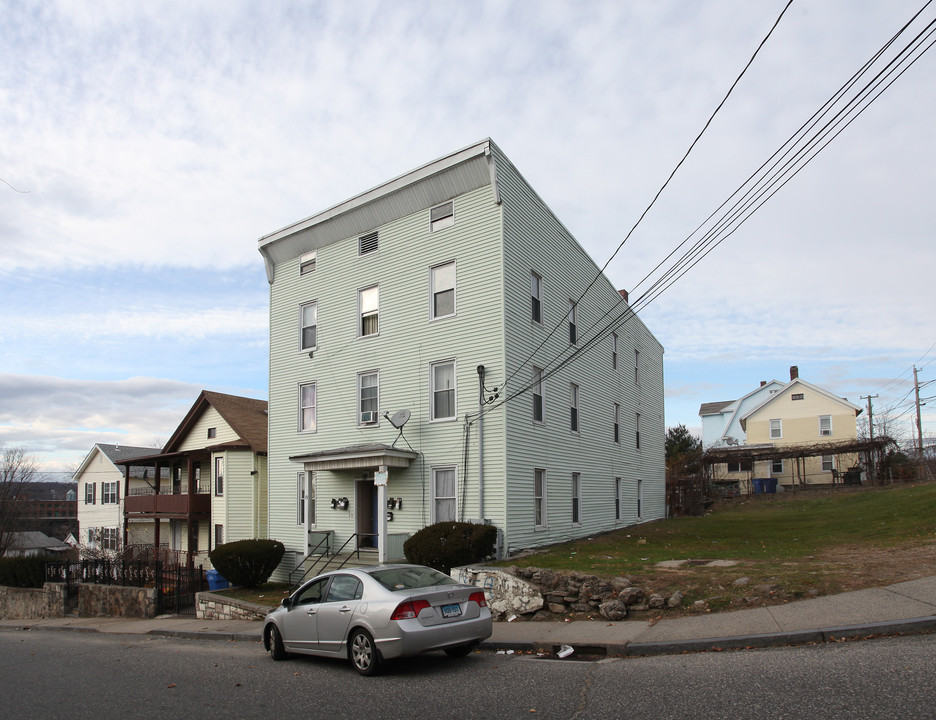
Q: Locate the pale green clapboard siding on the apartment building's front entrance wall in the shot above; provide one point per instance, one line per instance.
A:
(408, 342)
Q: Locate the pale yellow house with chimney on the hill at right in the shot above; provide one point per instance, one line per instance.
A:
(802, 414)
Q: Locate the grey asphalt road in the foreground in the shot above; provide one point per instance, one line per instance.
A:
(85, 675)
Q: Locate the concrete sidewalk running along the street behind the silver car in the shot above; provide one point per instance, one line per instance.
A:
(907, 607)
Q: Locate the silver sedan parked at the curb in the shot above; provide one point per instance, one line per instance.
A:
(378, 613)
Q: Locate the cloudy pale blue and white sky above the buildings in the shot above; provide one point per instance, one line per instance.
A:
(145, 147)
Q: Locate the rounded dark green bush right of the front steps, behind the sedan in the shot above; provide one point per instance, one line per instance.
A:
(450, 544)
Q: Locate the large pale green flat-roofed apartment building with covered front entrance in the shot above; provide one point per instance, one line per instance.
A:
(425, 294)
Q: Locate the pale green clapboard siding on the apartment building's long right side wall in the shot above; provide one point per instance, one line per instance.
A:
(535, 241)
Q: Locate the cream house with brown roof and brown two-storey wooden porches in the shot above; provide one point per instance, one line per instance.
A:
(216, 488)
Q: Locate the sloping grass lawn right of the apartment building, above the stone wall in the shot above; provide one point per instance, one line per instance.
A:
(807, 543)
